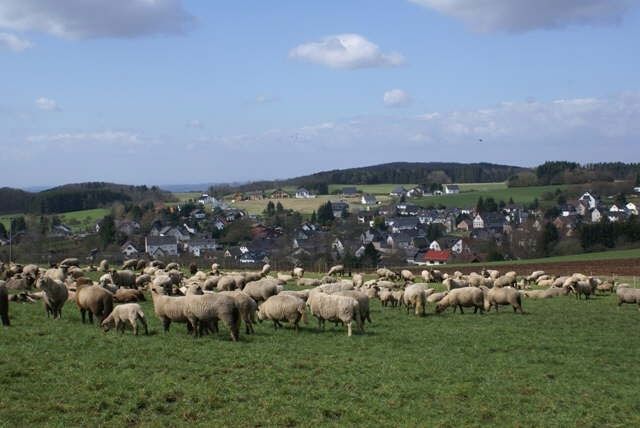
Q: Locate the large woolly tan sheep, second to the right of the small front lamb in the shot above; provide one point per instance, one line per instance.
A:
(205, 310)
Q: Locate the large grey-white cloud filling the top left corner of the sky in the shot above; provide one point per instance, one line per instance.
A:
(82, 19)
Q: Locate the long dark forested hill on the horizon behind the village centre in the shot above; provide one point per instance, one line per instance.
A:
(397, 173)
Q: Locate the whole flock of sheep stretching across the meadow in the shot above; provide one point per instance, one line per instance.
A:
(203, 299)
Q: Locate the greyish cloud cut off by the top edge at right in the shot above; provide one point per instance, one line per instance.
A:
(527, 15)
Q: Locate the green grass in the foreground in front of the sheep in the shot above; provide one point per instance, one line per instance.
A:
(557, 365)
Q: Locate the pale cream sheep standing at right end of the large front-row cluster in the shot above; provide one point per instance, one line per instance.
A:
(329, 307)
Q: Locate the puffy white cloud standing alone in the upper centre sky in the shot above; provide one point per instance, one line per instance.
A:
(345, 51)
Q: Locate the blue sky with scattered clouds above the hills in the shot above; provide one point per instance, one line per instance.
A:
(171, 91)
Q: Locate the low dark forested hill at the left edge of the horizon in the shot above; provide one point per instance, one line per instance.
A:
(75, 197)
